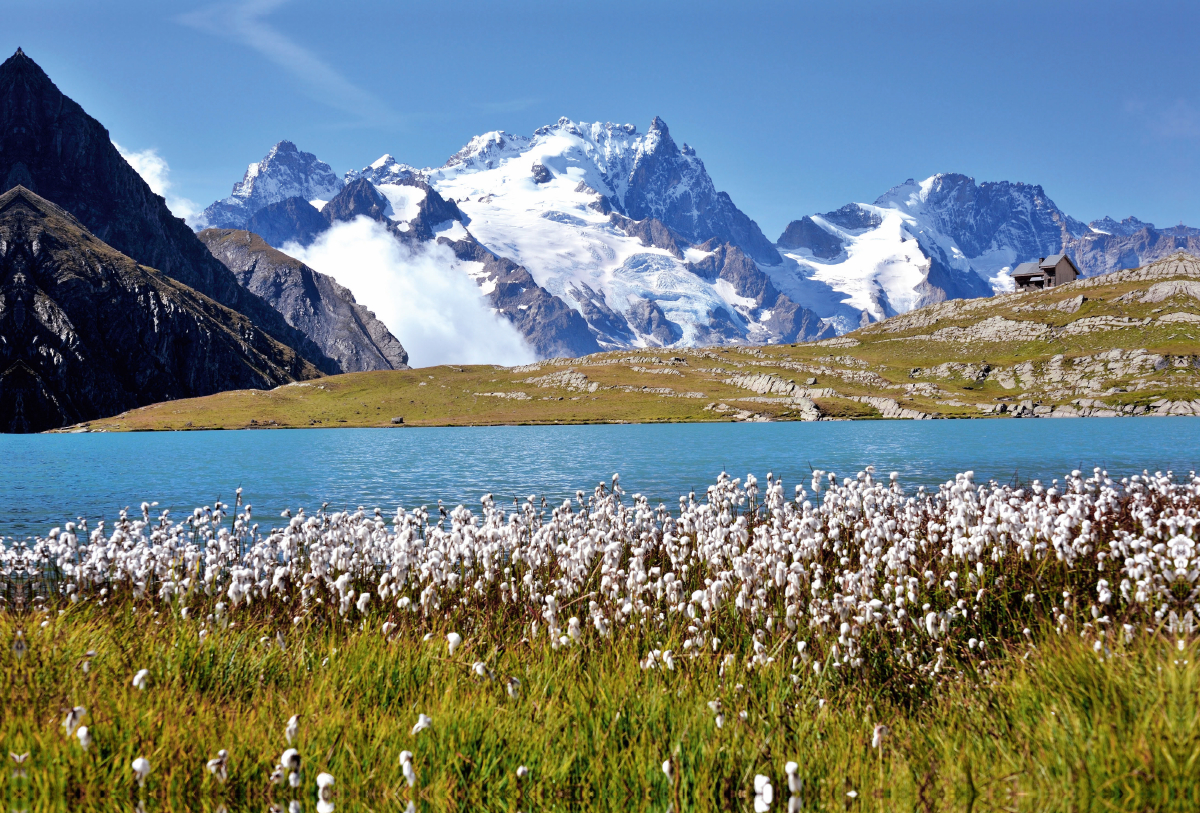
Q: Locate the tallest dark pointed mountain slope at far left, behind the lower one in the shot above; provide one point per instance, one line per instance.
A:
(50, 146)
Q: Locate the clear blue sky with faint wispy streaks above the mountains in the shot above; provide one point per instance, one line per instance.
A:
(795, 107)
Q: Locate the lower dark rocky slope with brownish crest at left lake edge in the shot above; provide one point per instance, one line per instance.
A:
(86, 333)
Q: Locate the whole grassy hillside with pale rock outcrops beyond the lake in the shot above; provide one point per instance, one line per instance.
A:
(1124, 344)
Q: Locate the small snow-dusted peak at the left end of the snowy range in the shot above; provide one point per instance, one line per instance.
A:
(285, 173)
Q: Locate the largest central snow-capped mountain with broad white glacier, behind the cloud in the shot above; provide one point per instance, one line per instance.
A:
(623, 233)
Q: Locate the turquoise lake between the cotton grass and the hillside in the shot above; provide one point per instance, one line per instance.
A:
(53, 479)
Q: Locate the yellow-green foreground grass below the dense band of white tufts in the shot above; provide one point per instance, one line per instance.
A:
(1053, 727)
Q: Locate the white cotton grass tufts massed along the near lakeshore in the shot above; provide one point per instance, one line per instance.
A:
(703, 563)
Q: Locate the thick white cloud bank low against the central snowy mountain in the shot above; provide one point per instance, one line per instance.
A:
(424, 297)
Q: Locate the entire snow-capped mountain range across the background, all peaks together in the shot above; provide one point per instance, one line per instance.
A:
(623, 239)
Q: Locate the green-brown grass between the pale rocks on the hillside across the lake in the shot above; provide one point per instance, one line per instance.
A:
(454, 395)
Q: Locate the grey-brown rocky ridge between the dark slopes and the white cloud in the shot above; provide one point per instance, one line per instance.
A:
(313, 303)
